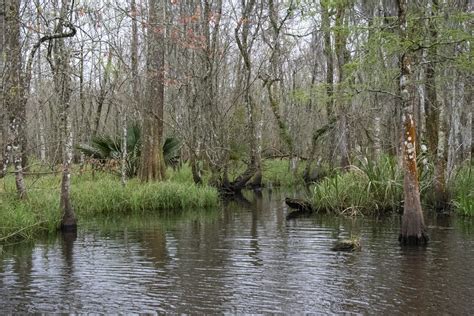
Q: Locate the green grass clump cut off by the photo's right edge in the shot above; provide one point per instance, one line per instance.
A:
(463, 195)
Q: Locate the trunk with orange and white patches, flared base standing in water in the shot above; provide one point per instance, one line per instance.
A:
(413, 226)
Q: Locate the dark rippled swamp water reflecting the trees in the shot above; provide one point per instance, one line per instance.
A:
(243, 258)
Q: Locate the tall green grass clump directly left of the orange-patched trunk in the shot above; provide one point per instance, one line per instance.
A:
(372, 187)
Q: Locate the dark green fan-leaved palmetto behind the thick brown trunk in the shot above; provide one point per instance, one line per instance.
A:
(107, 148)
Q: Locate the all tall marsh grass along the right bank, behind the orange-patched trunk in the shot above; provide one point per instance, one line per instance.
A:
(374, 187)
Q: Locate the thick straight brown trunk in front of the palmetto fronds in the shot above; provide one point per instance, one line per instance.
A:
(152, 166)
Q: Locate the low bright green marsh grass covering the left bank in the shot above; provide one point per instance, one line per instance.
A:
(101, 194)
